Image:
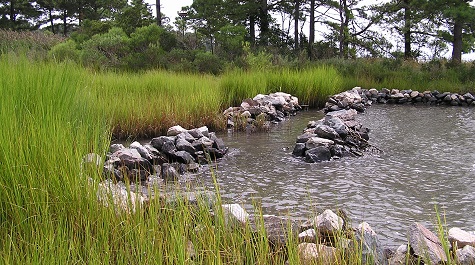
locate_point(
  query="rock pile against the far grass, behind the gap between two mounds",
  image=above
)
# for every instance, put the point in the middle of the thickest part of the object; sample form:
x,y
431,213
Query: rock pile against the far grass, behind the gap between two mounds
x,y
262,110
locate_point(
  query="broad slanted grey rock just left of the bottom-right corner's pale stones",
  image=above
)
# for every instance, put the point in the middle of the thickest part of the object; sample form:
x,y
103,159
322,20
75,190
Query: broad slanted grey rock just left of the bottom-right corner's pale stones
x,y
426,245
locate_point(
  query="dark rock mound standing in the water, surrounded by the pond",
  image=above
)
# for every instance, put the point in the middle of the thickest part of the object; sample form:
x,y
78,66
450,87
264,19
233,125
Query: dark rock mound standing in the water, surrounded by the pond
x,y
335,136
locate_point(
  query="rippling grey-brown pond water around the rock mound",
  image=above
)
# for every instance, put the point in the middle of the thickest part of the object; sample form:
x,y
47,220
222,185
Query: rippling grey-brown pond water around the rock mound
x,y
428,161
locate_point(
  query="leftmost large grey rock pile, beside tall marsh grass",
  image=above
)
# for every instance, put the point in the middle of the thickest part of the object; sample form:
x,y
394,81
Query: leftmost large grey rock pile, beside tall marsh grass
x,y
165,156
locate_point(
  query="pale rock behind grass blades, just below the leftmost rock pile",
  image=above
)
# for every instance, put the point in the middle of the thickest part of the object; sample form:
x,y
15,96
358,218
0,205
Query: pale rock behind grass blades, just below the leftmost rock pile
x,y
123,201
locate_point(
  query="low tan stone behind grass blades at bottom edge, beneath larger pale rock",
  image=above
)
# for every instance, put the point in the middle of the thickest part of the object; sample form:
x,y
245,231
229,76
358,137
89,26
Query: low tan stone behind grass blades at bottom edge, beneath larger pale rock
x,y
311,253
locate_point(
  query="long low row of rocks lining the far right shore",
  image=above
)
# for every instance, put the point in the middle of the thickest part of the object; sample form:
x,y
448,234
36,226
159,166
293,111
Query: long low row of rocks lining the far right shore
x,y
359,98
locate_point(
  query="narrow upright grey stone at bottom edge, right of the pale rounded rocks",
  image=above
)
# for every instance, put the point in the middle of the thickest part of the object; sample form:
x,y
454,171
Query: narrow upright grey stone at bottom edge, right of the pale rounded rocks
x,y
371,249
